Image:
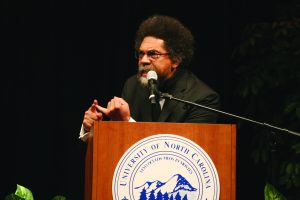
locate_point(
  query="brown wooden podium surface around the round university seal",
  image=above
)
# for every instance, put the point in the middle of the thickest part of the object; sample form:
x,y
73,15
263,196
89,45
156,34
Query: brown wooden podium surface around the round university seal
x,y
112,139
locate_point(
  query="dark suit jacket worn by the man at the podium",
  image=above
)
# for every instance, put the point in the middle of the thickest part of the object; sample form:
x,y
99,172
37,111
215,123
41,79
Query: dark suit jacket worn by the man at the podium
x,y
184,85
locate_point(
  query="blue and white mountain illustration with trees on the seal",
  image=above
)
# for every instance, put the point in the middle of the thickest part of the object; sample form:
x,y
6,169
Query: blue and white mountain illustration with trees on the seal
x,y
177,183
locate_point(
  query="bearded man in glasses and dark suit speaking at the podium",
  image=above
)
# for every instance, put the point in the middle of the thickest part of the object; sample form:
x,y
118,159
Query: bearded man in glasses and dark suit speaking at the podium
x,y
164,45
